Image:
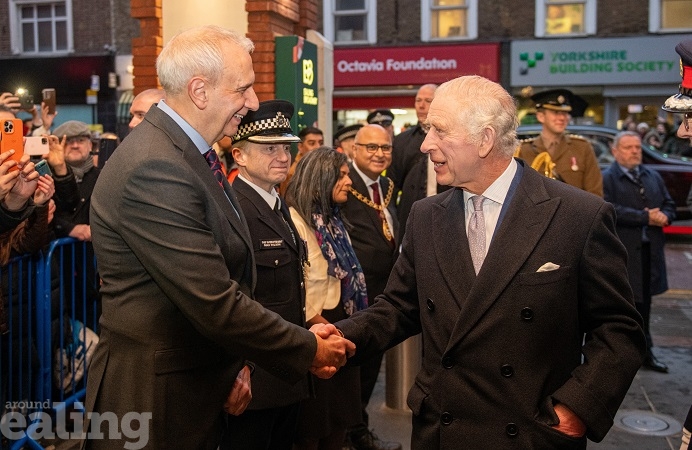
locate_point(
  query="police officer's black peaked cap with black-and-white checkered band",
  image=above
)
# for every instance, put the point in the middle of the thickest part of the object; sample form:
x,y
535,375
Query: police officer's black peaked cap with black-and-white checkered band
x,y
271,123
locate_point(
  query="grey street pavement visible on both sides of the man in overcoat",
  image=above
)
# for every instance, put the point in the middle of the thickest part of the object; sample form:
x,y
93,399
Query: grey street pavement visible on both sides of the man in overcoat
x,y
651,416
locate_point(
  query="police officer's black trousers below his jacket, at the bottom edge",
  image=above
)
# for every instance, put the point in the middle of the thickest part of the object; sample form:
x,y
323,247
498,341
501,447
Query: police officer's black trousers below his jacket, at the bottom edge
x,y
271,428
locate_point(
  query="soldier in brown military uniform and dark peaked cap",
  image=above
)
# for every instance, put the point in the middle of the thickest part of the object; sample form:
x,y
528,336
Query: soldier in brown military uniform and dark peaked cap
x,y
573,156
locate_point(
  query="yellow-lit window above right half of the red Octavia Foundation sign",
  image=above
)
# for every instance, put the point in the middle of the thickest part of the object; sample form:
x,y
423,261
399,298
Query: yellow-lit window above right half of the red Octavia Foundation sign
x,y
449,19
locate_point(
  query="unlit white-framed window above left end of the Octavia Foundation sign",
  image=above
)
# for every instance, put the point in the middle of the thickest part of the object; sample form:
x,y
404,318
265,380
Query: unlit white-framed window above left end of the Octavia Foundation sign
x,y
350,21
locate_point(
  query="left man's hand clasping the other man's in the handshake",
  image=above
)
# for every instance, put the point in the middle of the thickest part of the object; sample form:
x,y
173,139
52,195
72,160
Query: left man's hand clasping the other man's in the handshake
x,y
332,350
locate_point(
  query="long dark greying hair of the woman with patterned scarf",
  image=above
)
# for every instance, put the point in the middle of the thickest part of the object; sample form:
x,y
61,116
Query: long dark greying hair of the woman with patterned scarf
x,y
311,186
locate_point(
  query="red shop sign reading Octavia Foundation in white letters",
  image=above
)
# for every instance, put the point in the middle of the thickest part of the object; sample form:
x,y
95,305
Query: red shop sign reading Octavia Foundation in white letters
x,y
386,66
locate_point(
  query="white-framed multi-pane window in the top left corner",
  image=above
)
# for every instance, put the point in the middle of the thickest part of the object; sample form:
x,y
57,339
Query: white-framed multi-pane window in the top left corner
x,y
41,28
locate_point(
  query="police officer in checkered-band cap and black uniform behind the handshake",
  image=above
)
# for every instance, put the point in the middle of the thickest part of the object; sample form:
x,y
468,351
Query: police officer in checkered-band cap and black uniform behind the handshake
x,y
262,151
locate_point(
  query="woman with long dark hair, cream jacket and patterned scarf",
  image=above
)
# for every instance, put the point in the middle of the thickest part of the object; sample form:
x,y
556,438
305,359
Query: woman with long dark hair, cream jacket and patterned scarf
x,y
334,289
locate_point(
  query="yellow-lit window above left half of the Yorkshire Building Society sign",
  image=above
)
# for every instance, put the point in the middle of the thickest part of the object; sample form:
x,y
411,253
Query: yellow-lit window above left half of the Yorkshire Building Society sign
x,y
565,18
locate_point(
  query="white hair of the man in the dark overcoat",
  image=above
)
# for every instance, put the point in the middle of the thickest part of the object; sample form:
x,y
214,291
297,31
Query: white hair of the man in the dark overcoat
x,y
484,104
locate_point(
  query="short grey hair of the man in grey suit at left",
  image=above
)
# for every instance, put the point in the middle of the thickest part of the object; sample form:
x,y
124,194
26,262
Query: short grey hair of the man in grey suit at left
x,y
196,52
